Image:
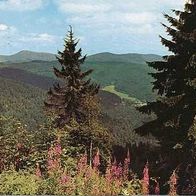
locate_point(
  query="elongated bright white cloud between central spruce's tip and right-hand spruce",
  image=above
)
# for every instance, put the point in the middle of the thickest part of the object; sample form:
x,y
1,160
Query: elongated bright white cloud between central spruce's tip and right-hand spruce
x,y
114,20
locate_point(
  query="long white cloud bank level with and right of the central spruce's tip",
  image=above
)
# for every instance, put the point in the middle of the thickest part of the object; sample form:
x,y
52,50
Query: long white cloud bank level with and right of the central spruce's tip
x,y
118,23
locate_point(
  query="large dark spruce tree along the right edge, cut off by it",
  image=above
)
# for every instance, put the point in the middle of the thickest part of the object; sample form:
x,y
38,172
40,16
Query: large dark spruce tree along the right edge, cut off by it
x,y
175,107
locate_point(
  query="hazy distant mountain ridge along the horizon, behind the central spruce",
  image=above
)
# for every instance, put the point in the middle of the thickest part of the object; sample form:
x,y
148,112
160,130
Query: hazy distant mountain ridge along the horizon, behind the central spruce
x,y
27,56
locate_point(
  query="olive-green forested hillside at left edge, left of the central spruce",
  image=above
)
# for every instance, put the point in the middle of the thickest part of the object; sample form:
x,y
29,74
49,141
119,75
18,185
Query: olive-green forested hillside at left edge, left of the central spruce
x,y
23,102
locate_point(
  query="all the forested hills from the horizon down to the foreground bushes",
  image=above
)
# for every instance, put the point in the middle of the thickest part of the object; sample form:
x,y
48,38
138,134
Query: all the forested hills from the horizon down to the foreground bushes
x,y
124,78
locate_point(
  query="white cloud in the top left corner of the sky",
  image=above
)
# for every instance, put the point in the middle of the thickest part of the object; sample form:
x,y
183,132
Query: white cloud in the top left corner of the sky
x,y
20,5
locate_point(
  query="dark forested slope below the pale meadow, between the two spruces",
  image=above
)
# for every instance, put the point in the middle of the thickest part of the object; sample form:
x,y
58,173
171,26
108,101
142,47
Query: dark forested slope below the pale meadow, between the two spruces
x,y
124,117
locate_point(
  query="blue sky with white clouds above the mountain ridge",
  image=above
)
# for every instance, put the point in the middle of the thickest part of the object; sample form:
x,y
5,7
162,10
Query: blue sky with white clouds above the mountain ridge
x,y
117,26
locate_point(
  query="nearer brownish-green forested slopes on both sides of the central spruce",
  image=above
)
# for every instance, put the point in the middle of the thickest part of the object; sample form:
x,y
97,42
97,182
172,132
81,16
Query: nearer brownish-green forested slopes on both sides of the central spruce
x,y
24,102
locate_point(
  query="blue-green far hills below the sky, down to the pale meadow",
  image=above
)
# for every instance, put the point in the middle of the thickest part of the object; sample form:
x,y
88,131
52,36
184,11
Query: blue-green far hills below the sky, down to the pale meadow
x,y
128,73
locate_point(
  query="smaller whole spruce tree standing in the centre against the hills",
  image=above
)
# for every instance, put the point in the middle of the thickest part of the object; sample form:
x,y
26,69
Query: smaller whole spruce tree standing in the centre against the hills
x,y
67,99
